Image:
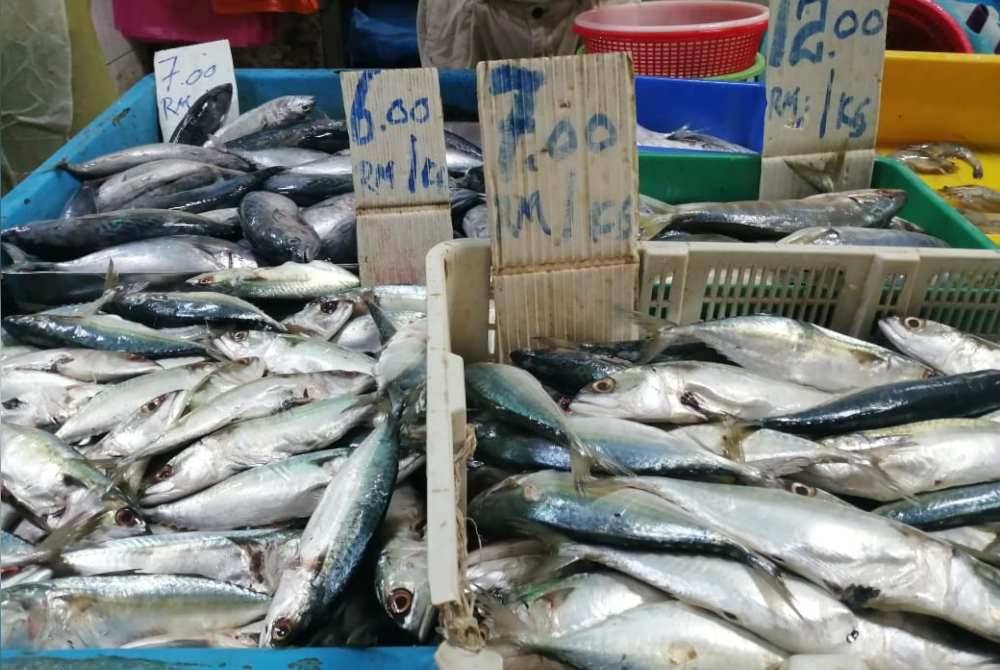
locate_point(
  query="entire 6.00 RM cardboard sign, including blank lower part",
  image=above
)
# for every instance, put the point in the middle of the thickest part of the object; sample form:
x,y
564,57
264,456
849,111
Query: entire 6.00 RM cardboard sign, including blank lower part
x,y
396,129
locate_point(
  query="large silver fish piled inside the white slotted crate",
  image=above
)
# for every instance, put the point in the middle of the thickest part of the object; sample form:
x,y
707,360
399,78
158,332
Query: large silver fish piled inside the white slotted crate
x,y
753,492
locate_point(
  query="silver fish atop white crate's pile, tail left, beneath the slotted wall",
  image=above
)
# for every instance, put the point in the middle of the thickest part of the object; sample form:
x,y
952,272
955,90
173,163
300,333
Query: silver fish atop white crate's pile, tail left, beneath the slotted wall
x,y
824,359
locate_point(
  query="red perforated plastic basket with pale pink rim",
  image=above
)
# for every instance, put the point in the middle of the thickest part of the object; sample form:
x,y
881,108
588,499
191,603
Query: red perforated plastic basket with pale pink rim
x,y
678,38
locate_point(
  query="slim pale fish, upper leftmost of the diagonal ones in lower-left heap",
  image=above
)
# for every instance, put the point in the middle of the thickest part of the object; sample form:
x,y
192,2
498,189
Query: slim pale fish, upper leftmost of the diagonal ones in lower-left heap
x,y
117,402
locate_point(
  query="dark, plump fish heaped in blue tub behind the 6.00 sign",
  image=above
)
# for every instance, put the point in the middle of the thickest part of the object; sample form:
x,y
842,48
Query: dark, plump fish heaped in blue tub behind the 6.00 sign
x,y
272,186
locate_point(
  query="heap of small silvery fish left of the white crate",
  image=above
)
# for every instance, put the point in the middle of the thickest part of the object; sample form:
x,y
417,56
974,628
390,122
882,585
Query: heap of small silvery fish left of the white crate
x,y
201,468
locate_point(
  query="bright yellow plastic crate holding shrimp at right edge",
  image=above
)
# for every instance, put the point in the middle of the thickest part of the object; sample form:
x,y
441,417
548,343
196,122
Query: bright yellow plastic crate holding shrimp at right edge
x,y
943,97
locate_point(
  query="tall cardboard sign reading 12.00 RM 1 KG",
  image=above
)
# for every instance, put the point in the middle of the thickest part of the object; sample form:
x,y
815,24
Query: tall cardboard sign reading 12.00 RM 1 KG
x,y
824,74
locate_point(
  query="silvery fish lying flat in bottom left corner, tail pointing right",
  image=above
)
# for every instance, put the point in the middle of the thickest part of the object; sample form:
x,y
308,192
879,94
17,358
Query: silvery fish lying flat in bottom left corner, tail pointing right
x,y
108,612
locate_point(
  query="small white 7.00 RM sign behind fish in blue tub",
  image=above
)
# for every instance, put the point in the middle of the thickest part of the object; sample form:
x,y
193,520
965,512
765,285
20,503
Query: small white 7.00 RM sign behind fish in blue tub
x,y
185,73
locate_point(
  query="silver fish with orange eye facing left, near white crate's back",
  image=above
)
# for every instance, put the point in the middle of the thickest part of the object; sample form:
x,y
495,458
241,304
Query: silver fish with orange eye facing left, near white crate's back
x,y
691,393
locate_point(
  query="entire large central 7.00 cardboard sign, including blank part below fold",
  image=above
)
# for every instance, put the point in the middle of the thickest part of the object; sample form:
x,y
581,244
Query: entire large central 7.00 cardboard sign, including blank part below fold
x,y
560,168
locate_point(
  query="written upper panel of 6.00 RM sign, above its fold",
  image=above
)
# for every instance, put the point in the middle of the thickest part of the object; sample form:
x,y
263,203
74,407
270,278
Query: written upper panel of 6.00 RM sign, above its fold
x,y
396,128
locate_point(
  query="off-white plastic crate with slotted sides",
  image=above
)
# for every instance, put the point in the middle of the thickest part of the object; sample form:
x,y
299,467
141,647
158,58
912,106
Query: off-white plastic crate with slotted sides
x,y
846,289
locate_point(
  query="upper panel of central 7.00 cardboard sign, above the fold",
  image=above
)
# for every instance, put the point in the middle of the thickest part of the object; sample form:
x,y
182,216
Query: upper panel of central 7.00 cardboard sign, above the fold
x,y
560,159
